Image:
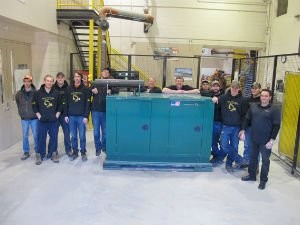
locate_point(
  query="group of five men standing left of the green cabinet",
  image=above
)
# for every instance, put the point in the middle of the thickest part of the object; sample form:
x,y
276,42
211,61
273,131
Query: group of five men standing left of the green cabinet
x,y
55,104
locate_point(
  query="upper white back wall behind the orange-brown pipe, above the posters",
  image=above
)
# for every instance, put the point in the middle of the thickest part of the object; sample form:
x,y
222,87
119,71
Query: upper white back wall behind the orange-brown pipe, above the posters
x,y
219,23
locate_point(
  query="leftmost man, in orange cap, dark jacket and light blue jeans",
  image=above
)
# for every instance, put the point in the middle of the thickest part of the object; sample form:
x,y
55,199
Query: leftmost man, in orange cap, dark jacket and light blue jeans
x,y
28,118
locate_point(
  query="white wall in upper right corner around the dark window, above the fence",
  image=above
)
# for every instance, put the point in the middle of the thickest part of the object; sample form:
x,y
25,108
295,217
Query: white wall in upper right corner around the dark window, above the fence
x,y
284,30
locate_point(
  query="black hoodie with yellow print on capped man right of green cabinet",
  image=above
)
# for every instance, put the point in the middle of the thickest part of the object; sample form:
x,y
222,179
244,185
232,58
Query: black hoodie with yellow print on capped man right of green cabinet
x,y
233,108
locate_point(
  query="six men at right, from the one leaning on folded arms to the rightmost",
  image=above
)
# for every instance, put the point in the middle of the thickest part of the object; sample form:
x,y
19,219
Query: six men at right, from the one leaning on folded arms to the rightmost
x,y
254,120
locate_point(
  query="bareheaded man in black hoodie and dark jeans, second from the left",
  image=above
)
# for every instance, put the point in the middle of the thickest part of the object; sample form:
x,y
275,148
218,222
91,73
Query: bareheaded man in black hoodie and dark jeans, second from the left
x,y
47,106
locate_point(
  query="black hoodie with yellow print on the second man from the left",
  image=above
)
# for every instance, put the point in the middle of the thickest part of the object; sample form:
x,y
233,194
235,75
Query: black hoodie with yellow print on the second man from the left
x,y
47,104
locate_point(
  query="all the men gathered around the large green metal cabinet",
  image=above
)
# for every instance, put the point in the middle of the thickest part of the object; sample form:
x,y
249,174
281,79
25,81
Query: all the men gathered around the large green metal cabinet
x,y
253,120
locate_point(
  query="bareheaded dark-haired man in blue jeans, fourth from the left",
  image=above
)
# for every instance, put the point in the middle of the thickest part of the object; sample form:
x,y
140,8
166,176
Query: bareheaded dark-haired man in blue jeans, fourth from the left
x,y
76,112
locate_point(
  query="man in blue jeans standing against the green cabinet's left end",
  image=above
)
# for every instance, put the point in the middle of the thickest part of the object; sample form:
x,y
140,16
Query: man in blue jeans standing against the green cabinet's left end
x,y
99,112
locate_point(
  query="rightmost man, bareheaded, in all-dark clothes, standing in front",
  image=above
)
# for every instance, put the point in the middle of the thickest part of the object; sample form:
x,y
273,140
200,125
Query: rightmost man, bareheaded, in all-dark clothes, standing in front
x,y
265,124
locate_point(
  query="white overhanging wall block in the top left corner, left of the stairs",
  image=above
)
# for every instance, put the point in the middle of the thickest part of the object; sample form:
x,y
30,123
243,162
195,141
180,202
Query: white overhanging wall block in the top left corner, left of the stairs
x,y
39,14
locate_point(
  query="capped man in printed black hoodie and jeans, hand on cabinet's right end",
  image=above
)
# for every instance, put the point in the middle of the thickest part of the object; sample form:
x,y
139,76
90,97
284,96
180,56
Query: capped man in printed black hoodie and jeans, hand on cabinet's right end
x,y
233,108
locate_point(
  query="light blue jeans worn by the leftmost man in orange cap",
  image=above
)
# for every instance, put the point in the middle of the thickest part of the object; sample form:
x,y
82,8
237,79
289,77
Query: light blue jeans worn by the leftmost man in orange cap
x,y
26,125
